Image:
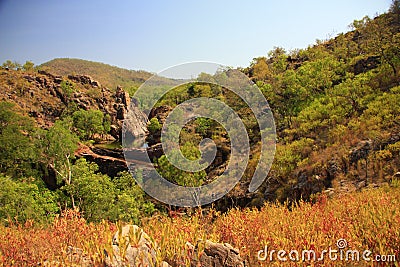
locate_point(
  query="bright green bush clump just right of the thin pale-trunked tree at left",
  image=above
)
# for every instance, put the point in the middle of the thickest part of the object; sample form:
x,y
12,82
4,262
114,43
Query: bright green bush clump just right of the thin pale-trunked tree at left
x,y
98,197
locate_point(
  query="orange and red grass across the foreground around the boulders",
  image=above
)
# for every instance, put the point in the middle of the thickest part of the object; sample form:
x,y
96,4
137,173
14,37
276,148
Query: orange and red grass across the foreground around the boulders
x,y
367,220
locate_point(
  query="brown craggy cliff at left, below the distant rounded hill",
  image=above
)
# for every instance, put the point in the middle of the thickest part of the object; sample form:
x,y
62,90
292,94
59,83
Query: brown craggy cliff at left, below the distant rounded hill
x,y
45,97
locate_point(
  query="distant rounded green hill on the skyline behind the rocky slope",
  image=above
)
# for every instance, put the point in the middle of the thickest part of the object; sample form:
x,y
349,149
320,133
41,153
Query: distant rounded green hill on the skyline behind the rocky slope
x,y
107,75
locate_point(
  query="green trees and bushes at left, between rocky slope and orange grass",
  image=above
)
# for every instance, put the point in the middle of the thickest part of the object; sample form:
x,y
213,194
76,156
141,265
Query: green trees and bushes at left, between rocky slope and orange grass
x,y
29,152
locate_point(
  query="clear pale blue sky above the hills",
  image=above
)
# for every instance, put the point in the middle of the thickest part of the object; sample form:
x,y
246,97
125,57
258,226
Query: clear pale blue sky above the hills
x,y
153,35
